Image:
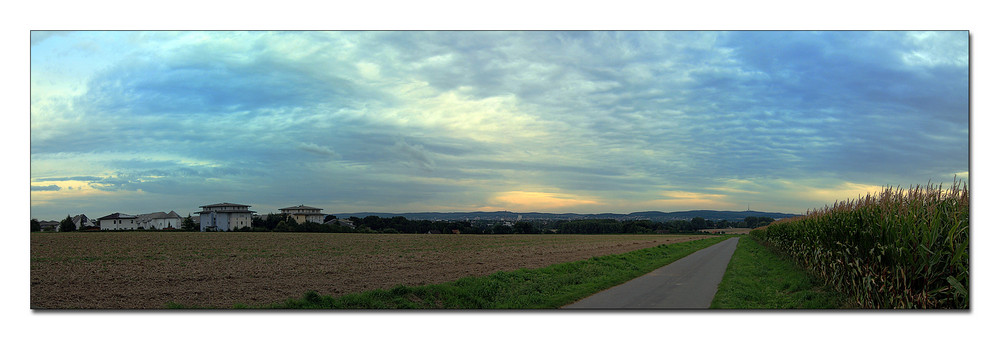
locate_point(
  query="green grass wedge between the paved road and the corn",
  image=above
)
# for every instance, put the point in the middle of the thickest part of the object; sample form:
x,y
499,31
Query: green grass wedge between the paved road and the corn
x,y
758,278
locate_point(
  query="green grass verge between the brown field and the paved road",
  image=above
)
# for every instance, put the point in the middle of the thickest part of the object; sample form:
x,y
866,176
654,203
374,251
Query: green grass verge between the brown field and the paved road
x,y
549,287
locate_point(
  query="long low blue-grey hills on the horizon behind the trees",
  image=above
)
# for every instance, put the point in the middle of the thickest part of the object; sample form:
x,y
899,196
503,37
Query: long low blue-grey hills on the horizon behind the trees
x,y
510,216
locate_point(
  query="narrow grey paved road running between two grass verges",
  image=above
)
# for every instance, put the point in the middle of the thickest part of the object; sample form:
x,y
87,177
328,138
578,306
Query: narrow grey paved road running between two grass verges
x,y
690,282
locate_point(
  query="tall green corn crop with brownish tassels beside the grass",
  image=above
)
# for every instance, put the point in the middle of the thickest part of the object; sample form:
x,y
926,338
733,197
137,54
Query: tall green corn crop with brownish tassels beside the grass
x,y
895,249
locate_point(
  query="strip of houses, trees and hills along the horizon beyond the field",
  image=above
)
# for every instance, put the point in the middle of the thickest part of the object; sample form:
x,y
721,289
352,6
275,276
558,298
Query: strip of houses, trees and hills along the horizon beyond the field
x,y
238,217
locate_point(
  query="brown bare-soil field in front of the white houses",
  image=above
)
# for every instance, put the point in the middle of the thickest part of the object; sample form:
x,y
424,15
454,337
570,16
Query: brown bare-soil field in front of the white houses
x,y
145,270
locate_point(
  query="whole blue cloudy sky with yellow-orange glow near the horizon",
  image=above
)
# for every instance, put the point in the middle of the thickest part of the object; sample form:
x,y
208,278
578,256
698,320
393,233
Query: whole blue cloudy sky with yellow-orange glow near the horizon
x,y
578,121
